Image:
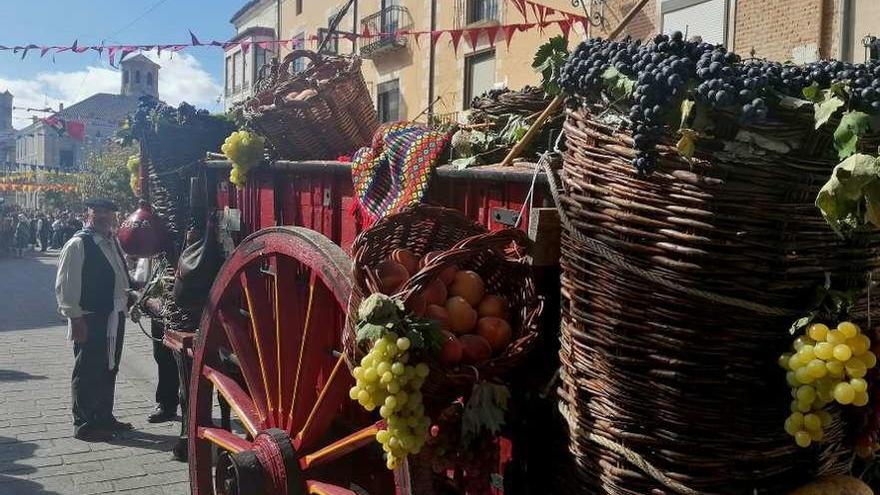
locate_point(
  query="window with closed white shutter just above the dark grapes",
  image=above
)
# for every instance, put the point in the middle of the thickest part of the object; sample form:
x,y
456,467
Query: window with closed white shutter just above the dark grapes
x,y
704,18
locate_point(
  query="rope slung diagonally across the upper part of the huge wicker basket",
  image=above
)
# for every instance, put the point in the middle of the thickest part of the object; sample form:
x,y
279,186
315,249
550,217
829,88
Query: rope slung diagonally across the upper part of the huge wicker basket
x,y
601,249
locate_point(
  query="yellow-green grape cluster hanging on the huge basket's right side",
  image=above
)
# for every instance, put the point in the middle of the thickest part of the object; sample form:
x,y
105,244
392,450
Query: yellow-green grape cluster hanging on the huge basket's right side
x,y
826,366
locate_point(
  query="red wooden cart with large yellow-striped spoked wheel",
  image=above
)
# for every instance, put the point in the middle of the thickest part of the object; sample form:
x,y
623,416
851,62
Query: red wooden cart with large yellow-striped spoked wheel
x,y
270,337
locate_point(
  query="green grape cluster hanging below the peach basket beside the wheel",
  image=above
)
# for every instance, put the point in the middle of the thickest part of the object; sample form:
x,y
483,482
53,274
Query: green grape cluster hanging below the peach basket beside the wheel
x,y
386,380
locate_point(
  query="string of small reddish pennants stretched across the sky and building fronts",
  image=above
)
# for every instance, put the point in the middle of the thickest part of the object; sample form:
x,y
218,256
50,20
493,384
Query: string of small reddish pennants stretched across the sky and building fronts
x,y
534,14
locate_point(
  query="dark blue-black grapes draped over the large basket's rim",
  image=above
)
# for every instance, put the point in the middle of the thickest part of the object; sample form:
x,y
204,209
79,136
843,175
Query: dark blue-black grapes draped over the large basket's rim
x,y
668,69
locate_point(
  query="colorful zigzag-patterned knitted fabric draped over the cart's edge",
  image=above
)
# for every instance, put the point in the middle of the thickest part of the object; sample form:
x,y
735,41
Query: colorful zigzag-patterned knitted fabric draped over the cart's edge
x,y
394,172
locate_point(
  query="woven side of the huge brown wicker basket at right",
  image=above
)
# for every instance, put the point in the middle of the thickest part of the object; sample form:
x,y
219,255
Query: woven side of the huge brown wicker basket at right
x,y
678,290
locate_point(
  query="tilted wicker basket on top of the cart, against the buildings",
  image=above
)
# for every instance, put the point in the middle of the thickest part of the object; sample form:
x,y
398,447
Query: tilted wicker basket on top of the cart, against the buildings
x,y
321,113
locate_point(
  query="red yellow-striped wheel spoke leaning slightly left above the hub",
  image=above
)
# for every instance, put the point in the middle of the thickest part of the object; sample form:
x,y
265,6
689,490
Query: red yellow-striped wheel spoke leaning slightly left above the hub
x,y
263,329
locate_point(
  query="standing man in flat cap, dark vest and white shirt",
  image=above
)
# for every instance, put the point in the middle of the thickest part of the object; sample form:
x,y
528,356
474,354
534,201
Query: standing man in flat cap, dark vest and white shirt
x,y
92,289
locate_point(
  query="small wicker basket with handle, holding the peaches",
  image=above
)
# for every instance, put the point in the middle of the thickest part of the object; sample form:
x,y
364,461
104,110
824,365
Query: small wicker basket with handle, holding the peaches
x,y
423,229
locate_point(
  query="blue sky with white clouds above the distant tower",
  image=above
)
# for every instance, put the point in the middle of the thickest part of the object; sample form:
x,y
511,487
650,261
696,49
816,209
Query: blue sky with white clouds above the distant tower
x,y
193,75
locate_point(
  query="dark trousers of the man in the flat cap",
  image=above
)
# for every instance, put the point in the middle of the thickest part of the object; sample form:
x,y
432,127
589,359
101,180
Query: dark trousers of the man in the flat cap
x,y
93,384
